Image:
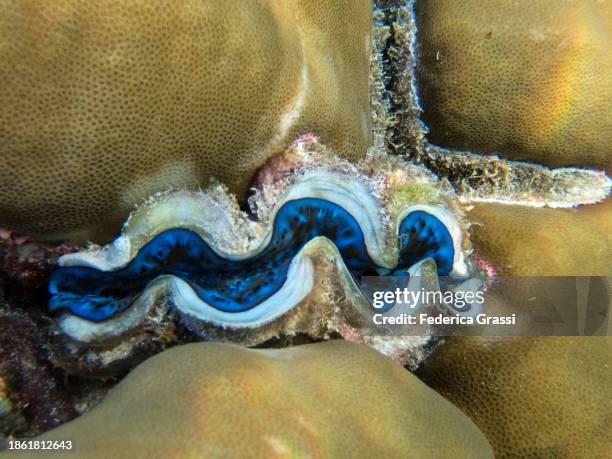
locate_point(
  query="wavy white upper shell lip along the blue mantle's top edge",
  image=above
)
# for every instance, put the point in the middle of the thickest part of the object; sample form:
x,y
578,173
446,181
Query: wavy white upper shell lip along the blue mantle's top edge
x,y
189,211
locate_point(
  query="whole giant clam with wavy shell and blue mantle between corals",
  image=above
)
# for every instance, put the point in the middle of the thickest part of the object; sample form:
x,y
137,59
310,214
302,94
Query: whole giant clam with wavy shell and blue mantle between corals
x,y
291,266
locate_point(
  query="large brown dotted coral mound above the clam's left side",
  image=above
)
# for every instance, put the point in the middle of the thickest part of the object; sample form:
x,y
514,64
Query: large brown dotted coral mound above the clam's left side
x,y
105,103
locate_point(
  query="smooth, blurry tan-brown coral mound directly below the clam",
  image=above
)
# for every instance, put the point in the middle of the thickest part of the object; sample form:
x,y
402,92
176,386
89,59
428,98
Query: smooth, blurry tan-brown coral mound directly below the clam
x,y
329,399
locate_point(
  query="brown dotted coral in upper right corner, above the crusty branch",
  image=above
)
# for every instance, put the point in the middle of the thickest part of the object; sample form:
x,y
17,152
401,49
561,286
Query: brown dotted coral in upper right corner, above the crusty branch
x,y
530,80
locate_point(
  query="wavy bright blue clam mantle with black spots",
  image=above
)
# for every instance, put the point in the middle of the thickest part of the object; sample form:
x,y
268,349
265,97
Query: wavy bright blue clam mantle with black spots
x,y
236,285
